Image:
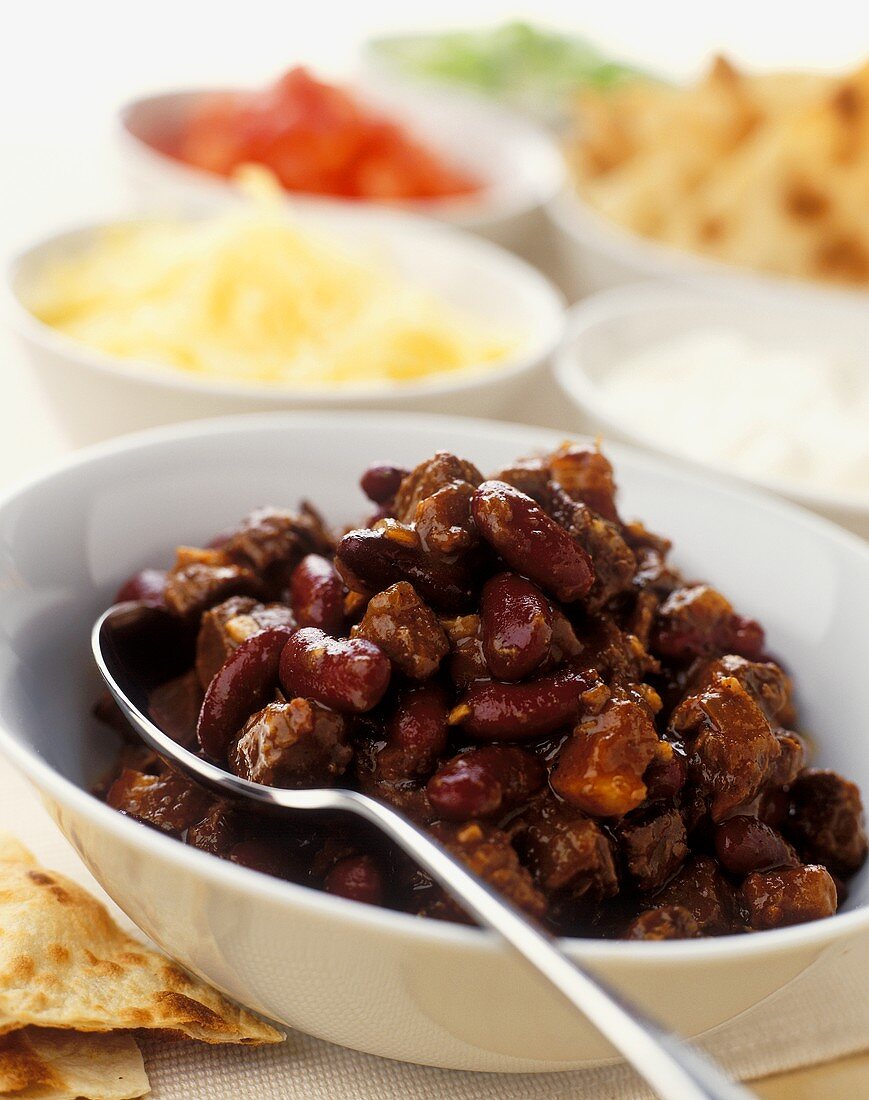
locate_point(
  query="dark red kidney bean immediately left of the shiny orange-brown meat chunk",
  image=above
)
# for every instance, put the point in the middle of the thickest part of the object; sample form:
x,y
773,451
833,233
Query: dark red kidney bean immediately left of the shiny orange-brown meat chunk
x,y
485,782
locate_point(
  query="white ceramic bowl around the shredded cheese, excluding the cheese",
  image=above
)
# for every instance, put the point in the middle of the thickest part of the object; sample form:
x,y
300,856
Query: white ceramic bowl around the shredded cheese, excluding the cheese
x,y
97,397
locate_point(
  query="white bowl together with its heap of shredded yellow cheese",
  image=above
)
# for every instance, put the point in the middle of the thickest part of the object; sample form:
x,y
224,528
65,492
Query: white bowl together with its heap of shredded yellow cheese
x,y
136,324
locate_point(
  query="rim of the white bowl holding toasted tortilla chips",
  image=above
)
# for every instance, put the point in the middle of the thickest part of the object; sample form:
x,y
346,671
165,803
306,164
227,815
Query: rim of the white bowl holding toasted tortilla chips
x,y
588,228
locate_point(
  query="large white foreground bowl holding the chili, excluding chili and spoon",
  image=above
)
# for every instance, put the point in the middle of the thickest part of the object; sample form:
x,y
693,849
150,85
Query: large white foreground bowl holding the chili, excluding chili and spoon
x,y
380,982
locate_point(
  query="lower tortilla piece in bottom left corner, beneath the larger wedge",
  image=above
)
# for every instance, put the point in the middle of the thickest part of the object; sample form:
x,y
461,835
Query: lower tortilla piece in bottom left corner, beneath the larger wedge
x,y
45,1064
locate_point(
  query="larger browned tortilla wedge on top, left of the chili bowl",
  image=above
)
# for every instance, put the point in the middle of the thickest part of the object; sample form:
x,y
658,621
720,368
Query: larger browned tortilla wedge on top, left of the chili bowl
x,y
64,963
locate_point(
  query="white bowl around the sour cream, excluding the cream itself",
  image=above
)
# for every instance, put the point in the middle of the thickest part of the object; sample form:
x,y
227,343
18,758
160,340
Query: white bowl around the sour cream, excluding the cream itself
x,y
626,321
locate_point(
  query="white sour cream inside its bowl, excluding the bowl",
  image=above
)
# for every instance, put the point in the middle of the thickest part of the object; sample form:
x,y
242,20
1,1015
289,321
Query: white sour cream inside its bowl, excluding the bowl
x,y
716,397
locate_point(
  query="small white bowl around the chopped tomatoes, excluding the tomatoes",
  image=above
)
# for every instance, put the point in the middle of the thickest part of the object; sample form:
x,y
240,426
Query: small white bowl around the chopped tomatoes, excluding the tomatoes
x,y
520,166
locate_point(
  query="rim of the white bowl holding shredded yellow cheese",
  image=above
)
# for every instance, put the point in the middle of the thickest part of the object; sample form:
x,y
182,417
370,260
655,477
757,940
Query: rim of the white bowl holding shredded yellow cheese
x,y
540,347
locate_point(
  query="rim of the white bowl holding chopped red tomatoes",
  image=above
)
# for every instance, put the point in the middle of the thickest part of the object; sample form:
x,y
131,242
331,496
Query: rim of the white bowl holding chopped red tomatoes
x,y
497,202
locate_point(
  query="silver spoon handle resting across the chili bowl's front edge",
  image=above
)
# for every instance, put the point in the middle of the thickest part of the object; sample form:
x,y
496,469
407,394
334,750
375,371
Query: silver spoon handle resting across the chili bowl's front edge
x,y
674,1070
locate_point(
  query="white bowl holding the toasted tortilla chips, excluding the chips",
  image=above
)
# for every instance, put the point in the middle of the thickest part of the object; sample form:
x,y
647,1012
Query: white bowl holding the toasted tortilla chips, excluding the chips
x,y
595,254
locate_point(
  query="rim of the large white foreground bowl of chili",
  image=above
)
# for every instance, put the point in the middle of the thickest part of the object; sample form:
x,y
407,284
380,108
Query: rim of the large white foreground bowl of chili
x,y
377,919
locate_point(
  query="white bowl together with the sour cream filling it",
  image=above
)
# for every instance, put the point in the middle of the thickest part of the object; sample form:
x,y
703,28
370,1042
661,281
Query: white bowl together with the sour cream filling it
x,y
765,389
